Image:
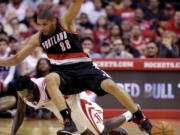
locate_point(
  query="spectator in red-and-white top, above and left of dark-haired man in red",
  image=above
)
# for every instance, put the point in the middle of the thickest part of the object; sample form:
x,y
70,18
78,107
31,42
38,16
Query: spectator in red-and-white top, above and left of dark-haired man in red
x,y
137,39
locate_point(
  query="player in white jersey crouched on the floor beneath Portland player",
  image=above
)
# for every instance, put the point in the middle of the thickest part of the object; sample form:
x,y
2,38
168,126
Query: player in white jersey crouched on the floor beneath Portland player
x,y
87,115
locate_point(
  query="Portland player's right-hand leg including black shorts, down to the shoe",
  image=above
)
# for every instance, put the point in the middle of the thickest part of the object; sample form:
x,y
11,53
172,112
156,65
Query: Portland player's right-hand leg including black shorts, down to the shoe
x,y
99,82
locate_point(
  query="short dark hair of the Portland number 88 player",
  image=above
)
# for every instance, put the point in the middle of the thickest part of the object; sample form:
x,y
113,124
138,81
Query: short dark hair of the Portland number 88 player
x,y
45,14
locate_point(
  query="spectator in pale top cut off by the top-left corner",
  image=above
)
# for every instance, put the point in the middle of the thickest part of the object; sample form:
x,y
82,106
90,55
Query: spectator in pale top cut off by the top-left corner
x,y
3,11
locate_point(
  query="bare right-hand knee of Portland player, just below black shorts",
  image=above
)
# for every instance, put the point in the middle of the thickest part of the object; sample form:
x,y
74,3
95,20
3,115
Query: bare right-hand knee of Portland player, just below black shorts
x,y
109,86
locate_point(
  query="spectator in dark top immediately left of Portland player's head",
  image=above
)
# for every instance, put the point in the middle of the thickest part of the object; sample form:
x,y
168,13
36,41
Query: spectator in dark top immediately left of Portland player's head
x,y
30,21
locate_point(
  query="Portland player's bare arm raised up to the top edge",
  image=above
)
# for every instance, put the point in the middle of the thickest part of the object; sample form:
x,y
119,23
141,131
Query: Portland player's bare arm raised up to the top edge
x,y
67,20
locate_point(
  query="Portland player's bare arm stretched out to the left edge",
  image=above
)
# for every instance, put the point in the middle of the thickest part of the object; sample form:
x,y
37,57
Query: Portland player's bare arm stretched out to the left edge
x,y
17,59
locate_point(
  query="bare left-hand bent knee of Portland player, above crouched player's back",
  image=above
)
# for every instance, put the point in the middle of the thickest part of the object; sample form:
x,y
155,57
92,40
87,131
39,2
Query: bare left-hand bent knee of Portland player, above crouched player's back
x,y
52,78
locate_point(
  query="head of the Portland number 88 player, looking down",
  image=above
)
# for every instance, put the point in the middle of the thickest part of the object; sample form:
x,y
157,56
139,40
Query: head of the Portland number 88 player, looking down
x,y
46,21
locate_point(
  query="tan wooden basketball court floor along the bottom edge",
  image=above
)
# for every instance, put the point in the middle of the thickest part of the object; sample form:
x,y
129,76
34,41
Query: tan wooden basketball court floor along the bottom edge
x,y
49,127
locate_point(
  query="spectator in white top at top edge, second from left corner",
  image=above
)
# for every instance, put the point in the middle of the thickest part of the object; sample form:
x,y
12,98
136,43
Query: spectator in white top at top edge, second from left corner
x,y
19,8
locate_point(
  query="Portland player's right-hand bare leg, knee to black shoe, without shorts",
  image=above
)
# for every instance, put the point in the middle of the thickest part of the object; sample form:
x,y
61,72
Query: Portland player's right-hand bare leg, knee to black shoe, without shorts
x,y
111,87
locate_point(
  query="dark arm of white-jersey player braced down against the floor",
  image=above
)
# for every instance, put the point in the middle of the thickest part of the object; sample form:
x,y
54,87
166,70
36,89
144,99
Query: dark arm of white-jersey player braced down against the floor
x,y
18,119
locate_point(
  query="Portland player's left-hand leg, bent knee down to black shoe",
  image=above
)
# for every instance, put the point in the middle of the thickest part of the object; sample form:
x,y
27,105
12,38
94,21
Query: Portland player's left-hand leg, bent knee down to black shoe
x,y
52,83
